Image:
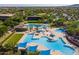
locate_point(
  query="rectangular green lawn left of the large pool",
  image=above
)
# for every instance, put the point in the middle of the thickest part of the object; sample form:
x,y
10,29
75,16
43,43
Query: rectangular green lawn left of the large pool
x,y
12,41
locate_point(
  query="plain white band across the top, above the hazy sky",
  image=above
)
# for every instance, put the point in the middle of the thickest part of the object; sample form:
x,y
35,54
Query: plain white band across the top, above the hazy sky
x,y
55,2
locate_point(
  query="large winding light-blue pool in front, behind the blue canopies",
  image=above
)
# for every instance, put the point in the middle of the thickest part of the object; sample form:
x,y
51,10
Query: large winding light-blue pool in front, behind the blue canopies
x,y
55,45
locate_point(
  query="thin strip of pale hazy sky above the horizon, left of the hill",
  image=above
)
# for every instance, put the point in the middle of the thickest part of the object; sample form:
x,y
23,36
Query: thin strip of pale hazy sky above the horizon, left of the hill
x,y
8,5
